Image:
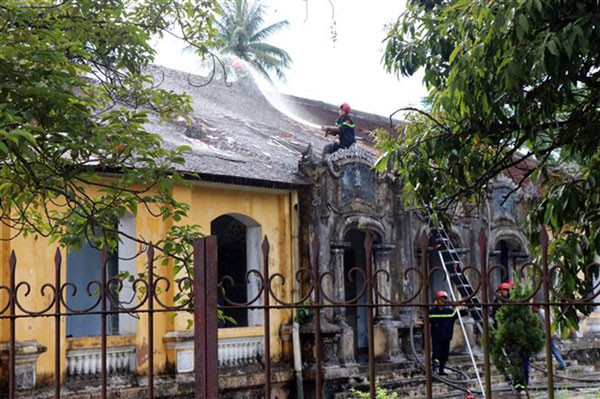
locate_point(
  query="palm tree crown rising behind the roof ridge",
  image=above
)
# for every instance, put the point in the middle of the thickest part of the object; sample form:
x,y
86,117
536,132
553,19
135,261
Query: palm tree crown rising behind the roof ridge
x,y
241,32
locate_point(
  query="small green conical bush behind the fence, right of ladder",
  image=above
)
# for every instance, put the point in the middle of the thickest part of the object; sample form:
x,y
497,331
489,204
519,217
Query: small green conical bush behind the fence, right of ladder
x,y
518,334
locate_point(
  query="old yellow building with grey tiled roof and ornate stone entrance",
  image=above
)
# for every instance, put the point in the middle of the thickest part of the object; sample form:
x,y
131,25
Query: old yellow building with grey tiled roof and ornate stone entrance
x,y
256,172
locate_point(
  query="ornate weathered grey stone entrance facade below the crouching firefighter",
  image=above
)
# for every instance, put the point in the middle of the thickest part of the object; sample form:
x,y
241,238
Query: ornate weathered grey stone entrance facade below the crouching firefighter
x,y
346,201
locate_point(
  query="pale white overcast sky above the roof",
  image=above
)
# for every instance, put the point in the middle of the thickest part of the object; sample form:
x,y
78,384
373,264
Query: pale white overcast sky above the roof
x,y
346,68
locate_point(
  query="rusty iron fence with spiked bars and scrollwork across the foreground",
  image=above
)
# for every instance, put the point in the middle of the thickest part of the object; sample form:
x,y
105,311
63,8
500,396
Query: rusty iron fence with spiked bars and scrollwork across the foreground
x,y
314,280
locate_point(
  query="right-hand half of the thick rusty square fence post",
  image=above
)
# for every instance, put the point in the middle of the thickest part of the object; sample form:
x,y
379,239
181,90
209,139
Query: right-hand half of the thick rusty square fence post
x,y
212,344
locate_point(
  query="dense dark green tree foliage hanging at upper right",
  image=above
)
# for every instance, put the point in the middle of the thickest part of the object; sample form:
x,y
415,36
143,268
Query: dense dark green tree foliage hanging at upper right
x,y
514,89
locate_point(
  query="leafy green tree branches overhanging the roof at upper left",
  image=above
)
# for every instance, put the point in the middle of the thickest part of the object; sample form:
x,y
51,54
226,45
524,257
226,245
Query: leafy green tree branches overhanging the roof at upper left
x,y
74,99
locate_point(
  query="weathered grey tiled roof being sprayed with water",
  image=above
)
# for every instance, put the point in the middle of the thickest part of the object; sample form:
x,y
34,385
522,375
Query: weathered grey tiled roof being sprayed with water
x,y
237,136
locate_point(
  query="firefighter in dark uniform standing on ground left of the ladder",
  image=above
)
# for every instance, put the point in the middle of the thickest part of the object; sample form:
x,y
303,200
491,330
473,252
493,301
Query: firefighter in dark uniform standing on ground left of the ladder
x,y
441,320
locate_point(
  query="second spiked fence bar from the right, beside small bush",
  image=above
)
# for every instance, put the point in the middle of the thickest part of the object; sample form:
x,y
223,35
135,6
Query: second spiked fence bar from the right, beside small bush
x,y
482,241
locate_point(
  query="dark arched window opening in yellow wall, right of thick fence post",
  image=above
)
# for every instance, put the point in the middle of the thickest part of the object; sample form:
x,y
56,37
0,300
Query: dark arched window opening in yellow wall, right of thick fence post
x,y
239,243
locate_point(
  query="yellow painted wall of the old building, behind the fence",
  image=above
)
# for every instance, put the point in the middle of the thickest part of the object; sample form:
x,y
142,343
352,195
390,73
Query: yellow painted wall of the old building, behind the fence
x,y
269,208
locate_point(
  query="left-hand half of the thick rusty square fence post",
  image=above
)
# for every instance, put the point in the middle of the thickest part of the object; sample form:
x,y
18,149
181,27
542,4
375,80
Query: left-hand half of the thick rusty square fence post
x,y
199,320
